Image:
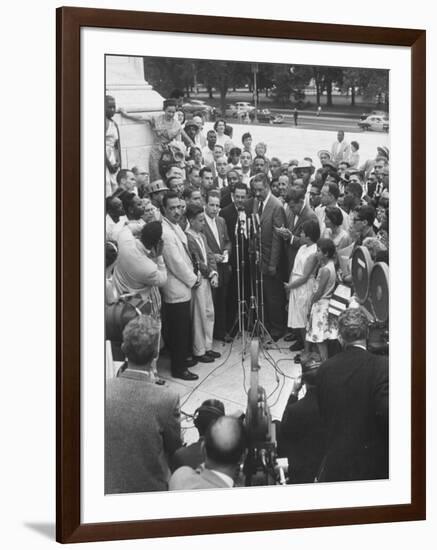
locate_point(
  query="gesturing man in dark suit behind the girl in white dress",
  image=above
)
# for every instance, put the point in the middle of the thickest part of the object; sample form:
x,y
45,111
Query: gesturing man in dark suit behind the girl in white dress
x,y
296,213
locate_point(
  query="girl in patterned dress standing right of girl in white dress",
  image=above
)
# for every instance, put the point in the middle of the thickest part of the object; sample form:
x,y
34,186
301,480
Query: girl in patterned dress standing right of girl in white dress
x,y
321,327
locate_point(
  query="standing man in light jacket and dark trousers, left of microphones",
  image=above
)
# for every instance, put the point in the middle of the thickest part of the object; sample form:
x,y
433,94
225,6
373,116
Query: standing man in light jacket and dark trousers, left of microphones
x,y
177,290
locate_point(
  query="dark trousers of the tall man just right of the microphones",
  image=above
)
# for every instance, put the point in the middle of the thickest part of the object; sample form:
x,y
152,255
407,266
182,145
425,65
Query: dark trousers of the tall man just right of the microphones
x,y
274,305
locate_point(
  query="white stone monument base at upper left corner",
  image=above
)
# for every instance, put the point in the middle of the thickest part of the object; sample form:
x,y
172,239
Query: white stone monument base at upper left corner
x,y
126,83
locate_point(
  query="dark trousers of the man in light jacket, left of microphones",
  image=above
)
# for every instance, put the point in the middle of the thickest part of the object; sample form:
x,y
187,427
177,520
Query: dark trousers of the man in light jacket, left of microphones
x,y
178,333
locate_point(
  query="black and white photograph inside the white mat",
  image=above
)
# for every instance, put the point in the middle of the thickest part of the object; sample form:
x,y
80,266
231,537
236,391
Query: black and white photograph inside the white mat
x,y
246,273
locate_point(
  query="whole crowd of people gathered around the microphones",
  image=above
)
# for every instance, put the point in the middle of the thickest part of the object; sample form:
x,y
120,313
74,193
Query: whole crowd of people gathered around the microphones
x,y
177,242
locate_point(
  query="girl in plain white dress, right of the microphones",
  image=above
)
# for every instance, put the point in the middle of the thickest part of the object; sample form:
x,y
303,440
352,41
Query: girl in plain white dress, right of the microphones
x,y
302,282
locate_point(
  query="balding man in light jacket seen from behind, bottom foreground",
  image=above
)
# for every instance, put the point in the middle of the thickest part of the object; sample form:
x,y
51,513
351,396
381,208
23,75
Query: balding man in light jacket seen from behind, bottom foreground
x,y
225,443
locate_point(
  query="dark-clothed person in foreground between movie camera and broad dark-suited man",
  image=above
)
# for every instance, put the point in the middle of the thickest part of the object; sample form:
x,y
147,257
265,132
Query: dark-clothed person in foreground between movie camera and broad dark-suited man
x,y
301,435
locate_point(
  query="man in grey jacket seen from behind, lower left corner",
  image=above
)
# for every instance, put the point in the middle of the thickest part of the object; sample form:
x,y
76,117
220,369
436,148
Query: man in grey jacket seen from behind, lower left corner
x,y
142,425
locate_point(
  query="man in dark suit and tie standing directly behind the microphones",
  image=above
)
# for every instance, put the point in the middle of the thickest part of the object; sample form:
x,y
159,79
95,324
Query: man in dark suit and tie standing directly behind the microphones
x,y
230,215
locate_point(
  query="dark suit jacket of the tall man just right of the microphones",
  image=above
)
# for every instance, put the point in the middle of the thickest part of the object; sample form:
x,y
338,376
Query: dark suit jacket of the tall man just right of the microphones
x,y
272,216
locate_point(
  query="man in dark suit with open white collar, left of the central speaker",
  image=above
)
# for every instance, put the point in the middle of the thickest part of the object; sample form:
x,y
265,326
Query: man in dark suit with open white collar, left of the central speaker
x,y
217,237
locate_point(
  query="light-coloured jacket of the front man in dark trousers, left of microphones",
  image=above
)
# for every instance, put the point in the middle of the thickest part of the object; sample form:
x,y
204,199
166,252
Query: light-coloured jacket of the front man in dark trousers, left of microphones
x,y
180,273
